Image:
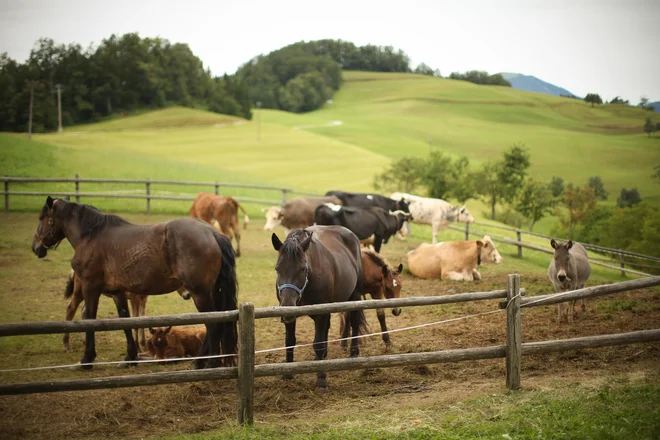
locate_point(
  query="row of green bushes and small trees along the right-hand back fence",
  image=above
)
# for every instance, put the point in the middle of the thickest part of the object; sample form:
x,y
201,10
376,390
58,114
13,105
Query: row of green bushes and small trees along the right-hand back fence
x,y
524,200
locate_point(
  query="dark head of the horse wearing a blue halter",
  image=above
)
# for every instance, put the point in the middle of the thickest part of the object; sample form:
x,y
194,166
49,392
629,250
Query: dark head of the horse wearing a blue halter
x,y
292,268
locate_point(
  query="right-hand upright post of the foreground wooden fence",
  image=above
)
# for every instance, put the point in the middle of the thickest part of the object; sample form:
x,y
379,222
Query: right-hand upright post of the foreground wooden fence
x,y
513,333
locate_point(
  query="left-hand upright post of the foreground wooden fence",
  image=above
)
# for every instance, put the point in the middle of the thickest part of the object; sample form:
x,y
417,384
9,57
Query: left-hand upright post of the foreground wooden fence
x,y
246,364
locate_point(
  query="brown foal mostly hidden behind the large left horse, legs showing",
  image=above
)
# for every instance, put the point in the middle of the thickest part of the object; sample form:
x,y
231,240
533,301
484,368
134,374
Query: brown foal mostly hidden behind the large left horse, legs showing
x,y
138,303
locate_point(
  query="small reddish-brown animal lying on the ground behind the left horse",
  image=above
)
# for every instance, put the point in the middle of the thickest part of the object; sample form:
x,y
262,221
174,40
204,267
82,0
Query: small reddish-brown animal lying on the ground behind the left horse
x,y
175,342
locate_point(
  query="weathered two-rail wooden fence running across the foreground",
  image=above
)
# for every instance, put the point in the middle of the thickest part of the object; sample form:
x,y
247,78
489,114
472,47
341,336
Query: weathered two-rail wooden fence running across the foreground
x,y
246,371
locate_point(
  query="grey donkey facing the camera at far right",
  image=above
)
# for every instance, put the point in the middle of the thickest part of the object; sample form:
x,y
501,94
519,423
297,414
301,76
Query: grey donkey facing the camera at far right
x,y
568,270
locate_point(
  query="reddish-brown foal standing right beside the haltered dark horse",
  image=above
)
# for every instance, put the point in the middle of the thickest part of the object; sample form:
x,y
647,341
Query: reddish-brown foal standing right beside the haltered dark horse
x,y
380,281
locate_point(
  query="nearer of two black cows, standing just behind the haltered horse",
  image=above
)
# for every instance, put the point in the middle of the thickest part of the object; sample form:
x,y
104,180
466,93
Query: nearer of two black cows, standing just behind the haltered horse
x,y
363,222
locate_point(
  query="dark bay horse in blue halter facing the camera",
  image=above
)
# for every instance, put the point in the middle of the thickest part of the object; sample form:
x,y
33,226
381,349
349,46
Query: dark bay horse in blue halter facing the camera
x,y
318,265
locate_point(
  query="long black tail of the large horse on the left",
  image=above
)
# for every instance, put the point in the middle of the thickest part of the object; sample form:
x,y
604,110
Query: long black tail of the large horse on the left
x,y
225,293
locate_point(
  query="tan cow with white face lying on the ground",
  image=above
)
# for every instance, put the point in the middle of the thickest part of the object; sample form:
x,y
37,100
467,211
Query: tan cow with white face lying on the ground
x,y
453,260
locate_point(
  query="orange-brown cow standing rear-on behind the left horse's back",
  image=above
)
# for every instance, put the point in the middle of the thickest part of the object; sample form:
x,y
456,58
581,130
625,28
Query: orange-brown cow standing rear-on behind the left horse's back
x,y
222,213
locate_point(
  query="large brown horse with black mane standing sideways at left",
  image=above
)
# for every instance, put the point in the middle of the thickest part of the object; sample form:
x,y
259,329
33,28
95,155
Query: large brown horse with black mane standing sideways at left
x,y
114,256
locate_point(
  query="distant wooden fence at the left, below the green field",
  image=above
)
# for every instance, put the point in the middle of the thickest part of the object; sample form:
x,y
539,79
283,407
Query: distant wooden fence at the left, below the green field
x,y
148,196
